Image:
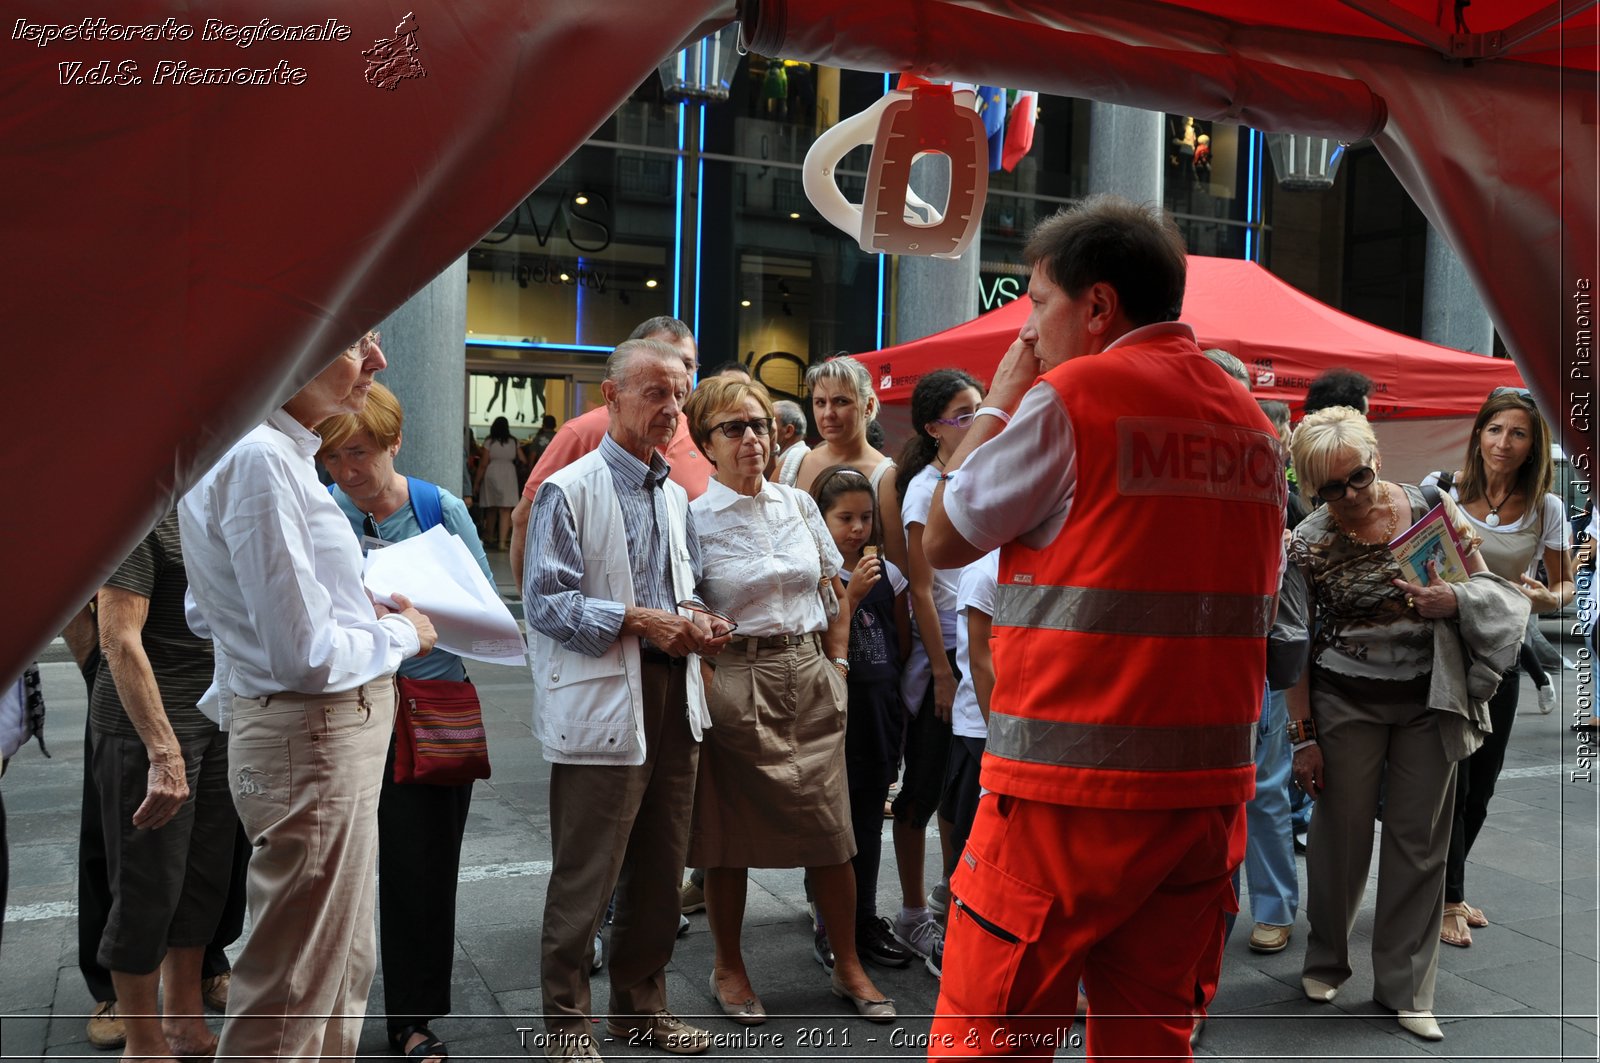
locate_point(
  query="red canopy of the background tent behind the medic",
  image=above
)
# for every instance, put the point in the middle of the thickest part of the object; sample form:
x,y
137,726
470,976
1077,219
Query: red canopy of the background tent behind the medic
x,y
1284,335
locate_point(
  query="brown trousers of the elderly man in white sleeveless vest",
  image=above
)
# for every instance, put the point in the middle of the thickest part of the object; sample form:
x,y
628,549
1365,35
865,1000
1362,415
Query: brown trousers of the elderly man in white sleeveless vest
x,y
626,830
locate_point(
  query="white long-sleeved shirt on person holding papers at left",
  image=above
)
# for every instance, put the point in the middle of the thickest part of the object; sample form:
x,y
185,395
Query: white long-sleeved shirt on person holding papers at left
x,y
276,576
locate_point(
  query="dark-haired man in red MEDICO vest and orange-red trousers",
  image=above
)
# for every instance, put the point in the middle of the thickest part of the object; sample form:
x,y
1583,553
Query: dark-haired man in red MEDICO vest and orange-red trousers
x,y
1137,499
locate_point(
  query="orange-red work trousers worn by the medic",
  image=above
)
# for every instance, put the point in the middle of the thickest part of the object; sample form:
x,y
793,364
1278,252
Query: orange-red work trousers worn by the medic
x,y
1132,902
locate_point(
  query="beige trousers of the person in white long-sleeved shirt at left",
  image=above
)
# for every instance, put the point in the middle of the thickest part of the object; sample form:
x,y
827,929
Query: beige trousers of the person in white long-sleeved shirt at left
x,y
306,772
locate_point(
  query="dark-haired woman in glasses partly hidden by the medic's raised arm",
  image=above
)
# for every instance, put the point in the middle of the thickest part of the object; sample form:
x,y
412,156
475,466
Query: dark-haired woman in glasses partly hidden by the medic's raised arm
x,y
942,409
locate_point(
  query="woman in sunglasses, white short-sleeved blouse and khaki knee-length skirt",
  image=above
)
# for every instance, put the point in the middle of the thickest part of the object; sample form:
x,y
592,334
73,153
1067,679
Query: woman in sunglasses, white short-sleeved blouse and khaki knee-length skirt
x,y
772,777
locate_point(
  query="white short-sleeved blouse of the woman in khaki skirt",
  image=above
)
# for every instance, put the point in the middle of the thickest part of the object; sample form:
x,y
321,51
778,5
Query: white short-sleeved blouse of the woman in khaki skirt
x,y
761,558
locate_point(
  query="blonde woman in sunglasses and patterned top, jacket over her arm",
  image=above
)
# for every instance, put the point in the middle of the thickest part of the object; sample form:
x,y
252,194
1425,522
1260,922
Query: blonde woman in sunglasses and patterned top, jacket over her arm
x,y
1380,710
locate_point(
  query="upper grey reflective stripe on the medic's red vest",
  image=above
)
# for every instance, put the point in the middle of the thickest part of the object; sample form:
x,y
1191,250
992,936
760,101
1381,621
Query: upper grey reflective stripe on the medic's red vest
x,y
1161,614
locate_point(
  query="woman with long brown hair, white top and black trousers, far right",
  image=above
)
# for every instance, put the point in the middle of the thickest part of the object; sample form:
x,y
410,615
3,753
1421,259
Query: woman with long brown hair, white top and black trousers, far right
x,y
1505,489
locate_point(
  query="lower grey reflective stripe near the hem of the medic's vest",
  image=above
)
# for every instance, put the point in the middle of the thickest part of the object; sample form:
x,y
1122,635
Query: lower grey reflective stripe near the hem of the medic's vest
x,y
1121,748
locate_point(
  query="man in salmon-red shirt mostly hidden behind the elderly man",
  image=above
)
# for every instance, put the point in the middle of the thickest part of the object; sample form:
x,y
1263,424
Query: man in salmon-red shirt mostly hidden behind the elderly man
x,y
583,435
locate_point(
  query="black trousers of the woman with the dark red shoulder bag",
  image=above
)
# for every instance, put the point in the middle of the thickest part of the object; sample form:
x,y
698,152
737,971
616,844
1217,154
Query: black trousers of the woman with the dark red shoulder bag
x,y
418,860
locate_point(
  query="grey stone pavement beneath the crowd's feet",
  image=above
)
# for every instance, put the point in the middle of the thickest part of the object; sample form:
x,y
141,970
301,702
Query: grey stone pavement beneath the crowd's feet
x,y
1527,990
